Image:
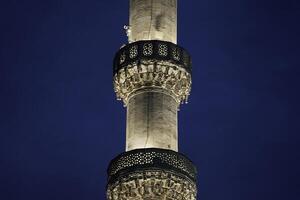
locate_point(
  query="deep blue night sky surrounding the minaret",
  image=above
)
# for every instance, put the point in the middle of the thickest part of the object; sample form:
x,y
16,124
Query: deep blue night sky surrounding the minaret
x,y
60,123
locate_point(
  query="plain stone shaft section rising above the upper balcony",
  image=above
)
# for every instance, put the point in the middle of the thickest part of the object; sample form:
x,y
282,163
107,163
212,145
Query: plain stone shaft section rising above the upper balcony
x,y
153,20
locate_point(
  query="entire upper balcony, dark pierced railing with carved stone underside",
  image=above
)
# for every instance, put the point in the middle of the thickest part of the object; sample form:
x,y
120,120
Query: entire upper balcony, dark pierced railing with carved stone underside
x,y
156,64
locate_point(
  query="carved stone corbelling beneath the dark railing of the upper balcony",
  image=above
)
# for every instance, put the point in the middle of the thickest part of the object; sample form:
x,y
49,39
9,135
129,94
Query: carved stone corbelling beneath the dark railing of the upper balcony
x,y
153,74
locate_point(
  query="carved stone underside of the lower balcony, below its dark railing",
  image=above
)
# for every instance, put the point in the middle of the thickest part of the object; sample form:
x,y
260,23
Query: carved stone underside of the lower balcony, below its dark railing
x,y
152,185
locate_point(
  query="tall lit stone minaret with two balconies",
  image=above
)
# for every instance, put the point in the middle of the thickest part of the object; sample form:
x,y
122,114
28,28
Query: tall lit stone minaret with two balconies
x,y
152,76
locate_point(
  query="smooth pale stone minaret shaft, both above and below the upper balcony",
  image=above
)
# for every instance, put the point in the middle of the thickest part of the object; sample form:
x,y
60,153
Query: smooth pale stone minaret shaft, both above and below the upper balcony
x,y
152,113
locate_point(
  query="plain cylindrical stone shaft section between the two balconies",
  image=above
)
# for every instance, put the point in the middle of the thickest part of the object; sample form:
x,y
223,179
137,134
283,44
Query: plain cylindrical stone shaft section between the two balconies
x,y
151,120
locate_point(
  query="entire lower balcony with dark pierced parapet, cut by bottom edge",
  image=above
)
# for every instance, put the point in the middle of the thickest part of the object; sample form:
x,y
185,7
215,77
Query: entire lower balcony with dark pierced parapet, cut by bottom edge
x,y
153,174
